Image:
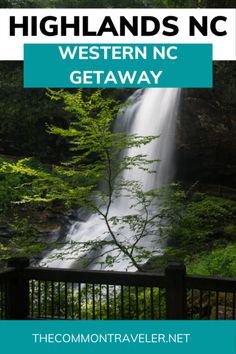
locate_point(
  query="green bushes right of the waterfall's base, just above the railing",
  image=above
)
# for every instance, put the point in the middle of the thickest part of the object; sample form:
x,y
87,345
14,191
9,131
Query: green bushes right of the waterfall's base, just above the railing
x,y
200,230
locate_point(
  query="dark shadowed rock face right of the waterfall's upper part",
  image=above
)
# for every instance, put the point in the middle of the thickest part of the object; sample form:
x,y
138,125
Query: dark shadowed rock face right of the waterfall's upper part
x,y
206,131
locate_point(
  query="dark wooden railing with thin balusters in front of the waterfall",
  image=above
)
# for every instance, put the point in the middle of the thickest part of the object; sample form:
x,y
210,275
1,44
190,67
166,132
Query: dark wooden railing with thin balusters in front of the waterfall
x,y
46,293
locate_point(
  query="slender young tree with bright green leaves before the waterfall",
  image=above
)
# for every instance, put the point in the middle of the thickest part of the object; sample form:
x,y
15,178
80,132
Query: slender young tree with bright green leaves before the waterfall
x,y
94,178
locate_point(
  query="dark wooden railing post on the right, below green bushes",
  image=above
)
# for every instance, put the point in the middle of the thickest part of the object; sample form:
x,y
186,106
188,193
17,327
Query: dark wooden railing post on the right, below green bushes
x,y
175,292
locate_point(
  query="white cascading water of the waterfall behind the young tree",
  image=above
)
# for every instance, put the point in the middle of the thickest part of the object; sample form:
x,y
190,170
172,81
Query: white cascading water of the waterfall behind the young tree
x,y
152,112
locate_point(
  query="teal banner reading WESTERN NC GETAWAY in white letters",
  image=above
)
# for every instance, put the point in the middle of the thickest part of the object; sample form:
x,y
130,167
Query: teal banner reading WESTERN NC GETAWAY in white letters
x,y
117,65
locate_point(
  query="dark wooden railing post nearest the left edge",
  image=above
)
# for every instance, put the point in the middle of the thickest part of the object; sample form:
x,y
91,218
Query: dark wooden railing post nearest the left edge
x,y
18,291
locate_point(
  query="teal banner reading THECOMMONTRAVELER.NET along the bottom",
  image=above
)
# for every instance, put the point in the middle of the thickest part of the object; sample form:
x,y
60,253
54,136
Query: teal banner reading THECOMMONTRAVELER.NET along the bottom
x,y
106,337
